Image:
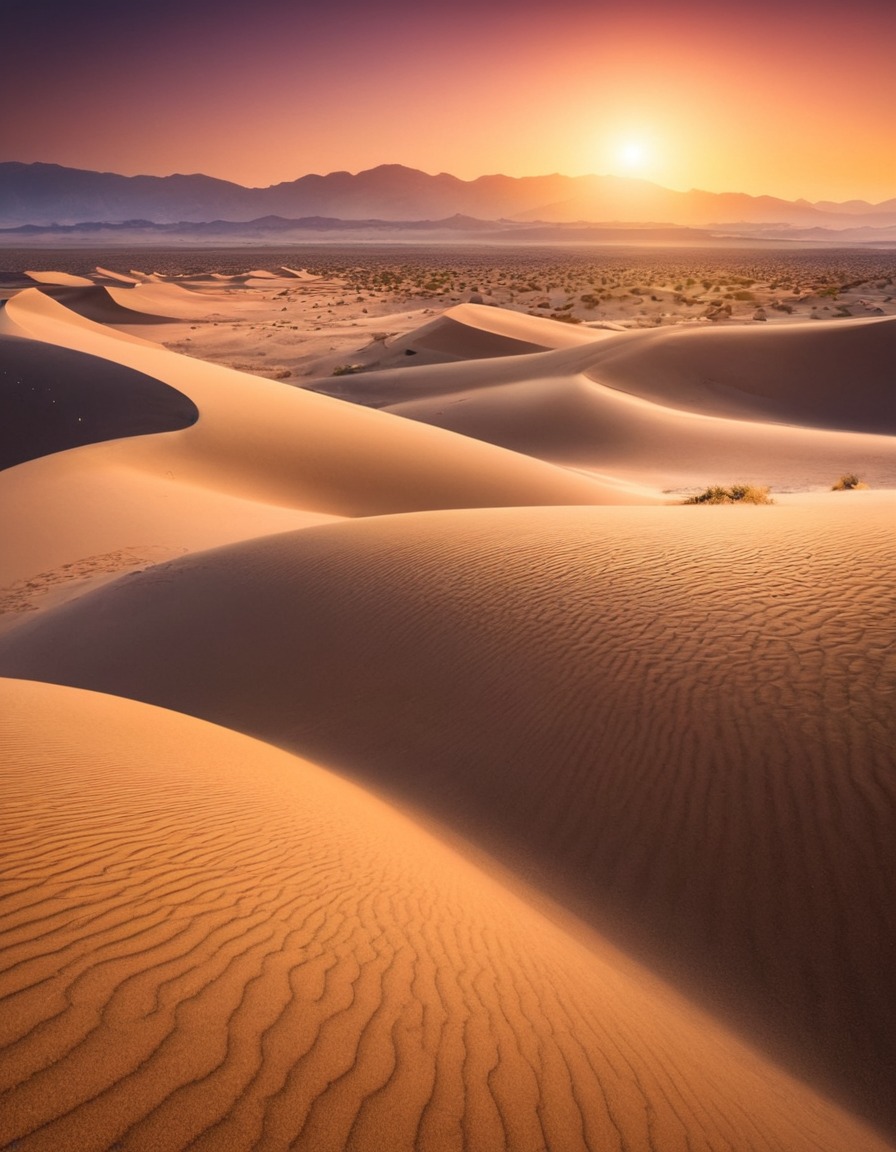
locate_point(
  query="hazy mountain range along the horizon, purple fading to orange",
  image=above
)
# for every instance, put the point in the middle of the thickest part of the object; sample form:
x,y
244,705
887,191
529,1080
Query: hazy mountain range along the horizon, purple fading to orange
x,y
47,194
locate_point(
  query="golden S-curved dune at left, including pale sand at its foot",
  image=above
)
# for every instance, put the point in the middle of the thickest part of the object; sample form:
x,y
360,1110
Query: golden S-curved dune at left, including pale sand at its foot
x,y
263,458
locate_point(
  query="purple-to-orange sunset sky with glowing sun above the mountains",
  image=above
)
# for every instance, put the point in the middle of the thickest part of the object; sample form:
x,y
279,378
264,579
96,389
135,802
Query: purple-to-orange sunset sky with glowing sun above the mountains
x,y
791,100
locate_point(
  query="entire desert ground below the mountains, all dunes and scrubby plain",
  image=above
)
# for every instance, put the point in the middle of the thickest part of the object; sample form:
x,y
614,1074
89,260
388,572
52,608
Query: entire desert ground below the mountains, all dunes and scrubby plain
x,y
392,759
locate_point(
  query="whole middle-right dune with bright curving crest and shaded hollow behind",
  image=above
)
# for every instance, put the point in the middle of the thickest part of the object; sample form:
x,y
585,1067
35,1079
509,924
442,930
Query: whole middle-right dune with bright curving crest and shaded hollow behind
x,y
667,431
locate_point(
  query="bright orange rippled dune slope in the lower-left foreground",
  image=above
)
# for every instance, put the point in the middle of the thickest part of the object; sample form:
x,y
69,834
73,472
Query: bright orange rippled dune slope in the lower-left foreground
x,y
210,943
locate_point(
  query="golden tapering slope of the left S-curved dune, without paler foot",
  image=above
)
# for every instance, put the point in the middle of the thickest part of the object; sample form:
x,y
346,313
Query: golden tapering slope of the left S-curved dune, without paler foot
x,y
267,442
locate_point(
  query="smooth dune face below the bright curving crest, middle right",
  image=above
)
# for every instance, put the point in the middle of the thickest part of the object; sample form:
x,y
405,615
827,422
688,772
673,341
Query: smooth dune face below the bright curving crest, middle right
x,y
574,421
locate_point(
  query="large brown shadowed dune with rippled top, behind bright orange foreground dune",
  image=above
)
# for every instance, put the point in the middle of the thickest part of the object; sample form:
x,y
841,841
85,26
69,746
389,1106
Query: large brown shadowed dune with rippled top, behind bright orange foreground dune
x,y
679,716
